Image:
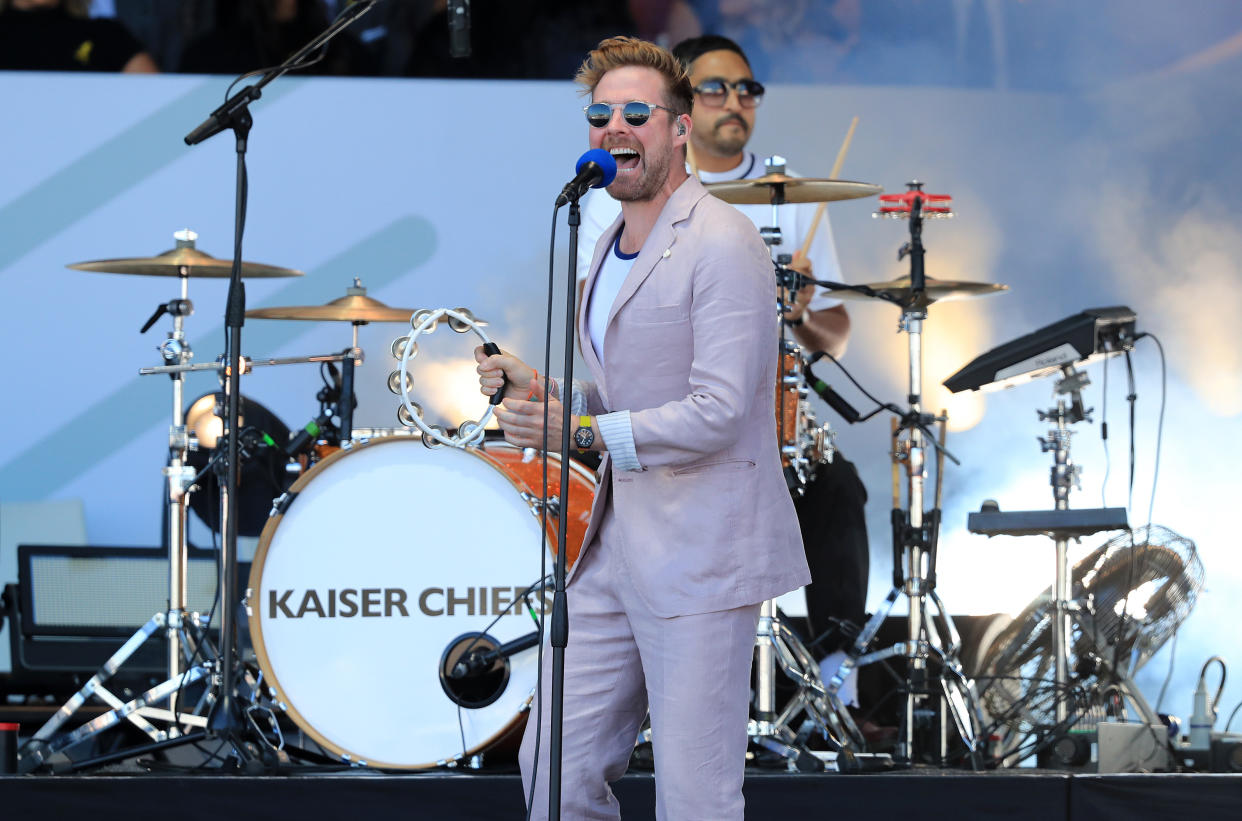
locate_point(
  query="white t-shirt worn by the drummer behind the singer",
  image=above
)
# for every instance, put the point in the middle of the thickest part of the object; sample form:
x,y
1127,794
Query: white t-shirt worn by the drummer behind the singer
x,y
601,211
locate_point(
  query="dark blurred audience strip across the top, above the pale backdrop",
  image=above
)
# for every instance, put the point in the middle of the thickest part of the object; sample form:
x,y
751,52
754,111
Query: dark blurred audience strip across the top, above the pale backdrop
x,y
1039,45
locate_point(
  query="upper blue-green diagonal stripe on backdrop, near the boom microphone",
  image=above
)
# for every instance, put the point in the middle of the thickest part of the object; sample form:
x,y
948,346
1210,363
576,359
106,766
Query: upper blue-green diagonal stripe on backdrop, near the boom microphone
x,y
110,170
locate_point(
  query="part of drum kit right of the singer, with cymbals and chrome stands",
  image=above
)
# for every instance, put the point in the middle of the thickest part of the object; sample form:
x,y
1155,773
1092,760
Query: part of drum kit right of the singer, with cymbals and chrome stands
x,y
948,700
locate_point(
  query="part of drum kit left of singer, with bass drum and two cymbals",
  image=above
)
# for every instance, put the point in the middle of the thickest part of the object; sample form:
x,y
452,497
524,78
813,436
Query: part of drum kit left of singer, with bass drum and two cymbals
x,y
362,535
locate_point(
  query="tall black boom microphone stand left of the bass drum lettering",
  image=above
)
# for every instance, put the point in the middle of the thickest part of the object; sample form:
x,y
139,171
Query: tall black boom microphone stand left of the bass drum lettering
x,y
235,115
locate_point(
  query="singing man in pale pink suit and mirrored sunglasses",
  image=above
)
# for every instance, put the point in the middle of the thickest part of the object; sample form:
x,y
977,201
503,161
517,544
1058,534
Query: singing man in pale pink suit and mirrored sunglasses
x,y
692,526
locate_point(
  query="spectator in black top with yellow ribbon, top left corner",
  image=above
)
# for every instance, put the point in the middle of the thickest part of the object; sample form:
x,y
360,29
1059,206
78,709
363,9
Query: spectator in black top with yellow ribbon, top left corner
x,y
60,35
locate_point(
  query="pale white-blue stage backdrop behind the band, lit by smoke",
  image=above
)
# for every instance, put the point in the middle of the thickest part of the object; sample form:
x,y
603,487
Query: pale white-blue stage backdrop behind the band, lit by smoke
x,y
438,194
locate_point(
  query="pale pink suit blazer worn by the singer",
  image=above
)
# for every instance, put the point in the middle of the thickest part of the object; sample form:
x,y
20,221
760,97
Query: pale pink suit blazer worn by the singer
x,y
691,352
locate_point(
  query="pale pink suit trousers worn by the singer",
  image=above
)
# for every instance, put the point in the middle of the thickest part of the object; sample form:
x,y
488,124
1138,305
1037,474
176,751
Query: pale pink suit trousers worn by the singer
x,y
694,675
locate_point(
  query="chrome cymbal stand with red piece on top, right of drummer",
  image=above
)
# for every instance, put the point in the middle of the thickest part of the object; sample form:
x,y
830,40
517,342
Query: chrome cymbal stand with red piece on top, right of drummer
x,y
915,546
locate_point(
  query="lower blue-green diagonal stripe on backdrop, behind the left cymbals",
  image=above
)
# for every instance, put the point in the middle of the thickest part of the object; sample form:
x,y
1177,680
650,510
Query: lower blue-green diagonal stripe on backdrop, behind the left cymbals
x,y
57,459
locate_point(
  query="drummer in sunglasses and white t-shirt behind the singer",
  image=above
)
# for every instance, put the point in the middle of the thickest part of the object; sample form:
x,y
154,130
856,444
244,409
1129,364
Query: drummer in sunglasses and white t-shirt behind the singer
x,y
727,100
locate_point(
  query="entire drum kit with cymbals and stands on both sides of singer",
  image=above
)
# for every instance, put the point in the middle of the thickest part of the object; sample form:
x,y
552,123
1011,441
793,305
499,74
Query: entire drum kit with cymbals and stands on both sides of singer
x,y
374,541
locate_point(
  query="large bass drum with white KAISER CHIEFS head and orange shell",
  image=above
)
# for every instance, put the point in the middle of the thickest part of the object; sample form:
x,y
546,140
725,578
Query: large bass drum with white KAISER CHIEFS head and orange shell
x,y
391,565
